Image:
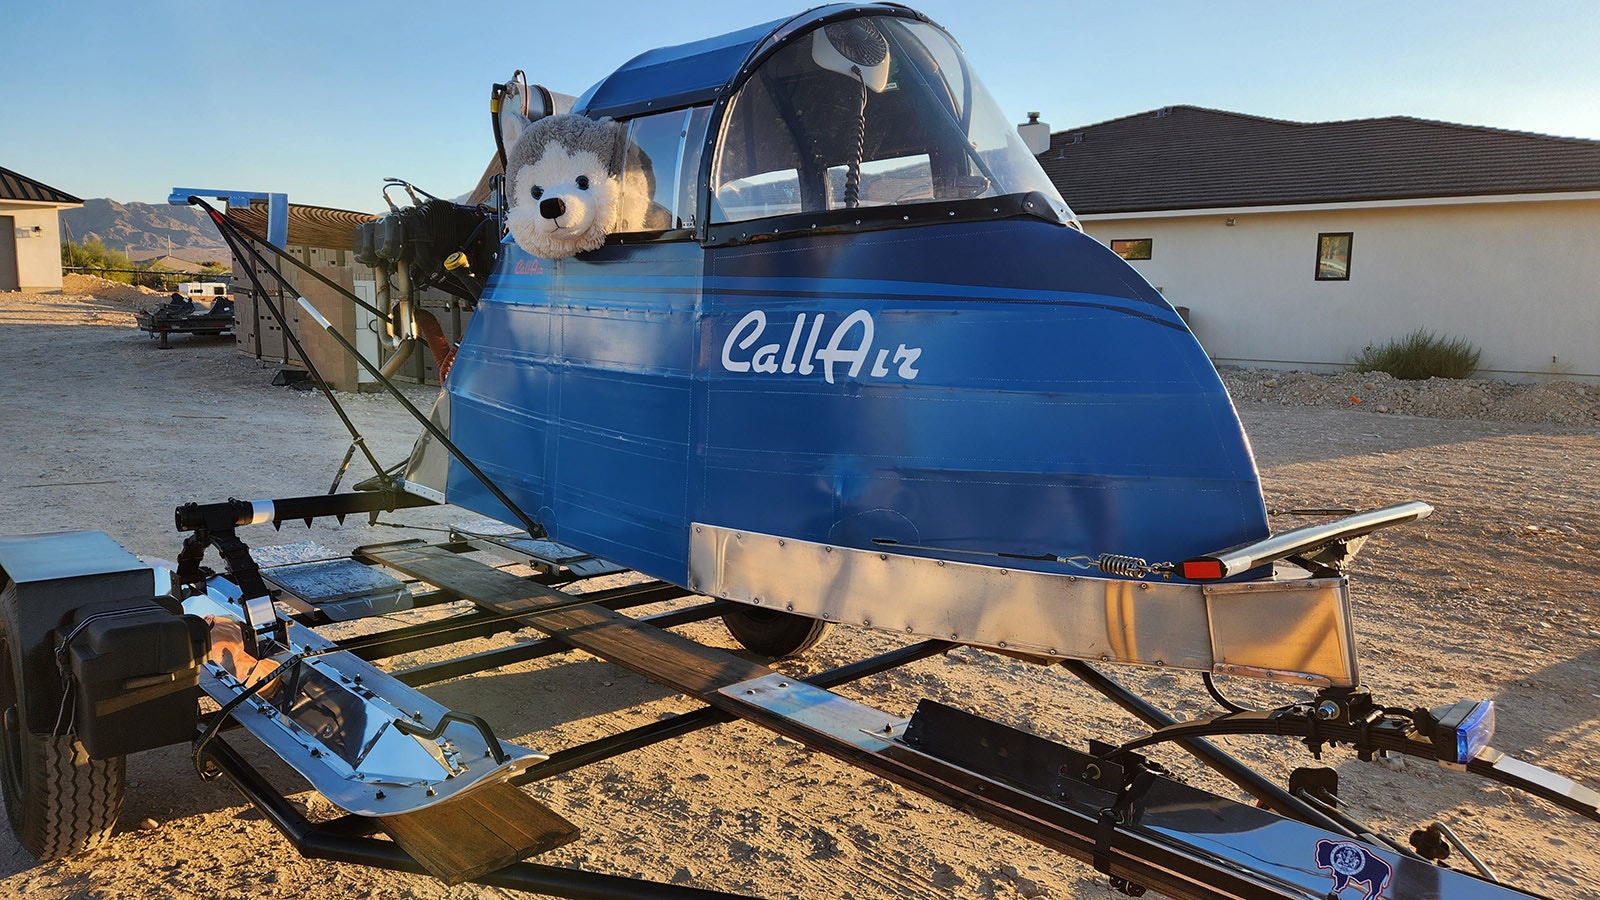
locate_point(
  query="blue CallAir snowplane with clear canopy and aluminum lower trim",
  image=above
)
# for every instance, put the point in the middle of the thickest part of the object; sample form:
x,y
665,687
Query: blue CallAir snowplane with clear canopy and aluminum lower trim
x,y
873,332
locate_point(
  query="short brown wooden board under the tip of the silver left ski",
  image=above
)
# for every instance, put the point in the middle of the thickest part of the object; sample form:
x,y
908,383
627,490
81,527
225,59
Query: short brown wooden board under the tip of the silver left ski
x,y
478,834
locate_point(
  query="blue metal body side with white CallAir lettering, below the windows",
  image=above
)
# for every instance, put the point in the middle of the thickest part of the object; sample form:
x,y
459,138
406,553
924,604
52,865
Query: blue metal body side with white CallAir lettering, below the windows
x,y
983,387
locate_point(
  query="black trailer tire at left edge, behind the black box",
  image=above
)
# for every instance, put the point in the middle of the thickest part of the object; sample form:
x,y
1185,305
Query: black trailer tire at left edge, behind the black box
x,y
58,800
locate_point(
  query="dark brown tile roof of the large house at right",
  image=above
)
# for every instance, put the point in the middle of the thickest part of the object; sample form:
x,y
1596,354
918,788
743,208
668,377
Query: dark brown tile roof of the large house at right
x,y
1186,158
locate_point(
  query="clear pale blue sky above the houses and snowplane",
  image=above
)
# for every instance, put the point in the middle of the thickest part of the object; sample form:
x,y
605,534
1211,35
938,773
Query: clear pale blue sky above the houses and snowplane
x,y
108,98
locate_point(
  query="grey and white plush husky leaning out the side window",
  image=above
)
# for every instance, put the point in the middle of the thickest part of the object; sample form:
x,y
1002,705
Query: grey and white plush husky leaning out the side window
x,y
572,182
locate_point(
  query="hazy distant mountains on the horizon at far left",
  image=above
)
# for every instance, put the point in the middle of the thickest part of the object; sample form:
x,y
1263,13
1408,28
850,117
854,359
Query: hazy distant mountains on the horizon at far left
x,y
146,230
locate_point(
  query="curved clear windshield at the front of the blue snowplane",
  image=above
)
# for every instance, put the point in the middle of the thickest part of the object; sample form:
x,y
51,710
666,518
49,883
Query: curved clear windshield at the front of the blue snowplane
x,y
868,113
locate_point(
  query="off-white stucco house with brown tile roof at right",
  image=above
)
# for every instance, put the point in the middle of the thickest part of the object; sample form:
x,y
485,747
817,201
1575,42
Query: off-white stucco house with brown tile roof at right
x,y
1295,246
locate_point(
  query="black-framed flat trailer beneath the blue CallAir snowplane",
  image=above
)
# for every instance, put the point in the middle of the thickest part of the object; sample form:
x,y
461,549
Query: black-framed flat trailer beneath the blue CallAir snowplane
x,y
433,790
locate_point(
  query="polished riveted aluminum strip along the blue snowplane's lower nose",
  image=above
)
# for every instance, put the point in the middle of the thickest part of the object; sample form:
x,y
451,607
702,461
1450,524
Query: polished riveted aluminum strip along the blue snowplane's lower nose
x,y
1292,632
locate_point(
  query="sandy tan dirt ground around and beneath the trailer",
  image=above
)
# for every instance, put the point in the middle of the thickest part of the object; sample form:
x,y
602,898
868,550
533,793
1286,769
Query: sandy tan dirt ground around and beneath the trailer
x,y
1497,597
